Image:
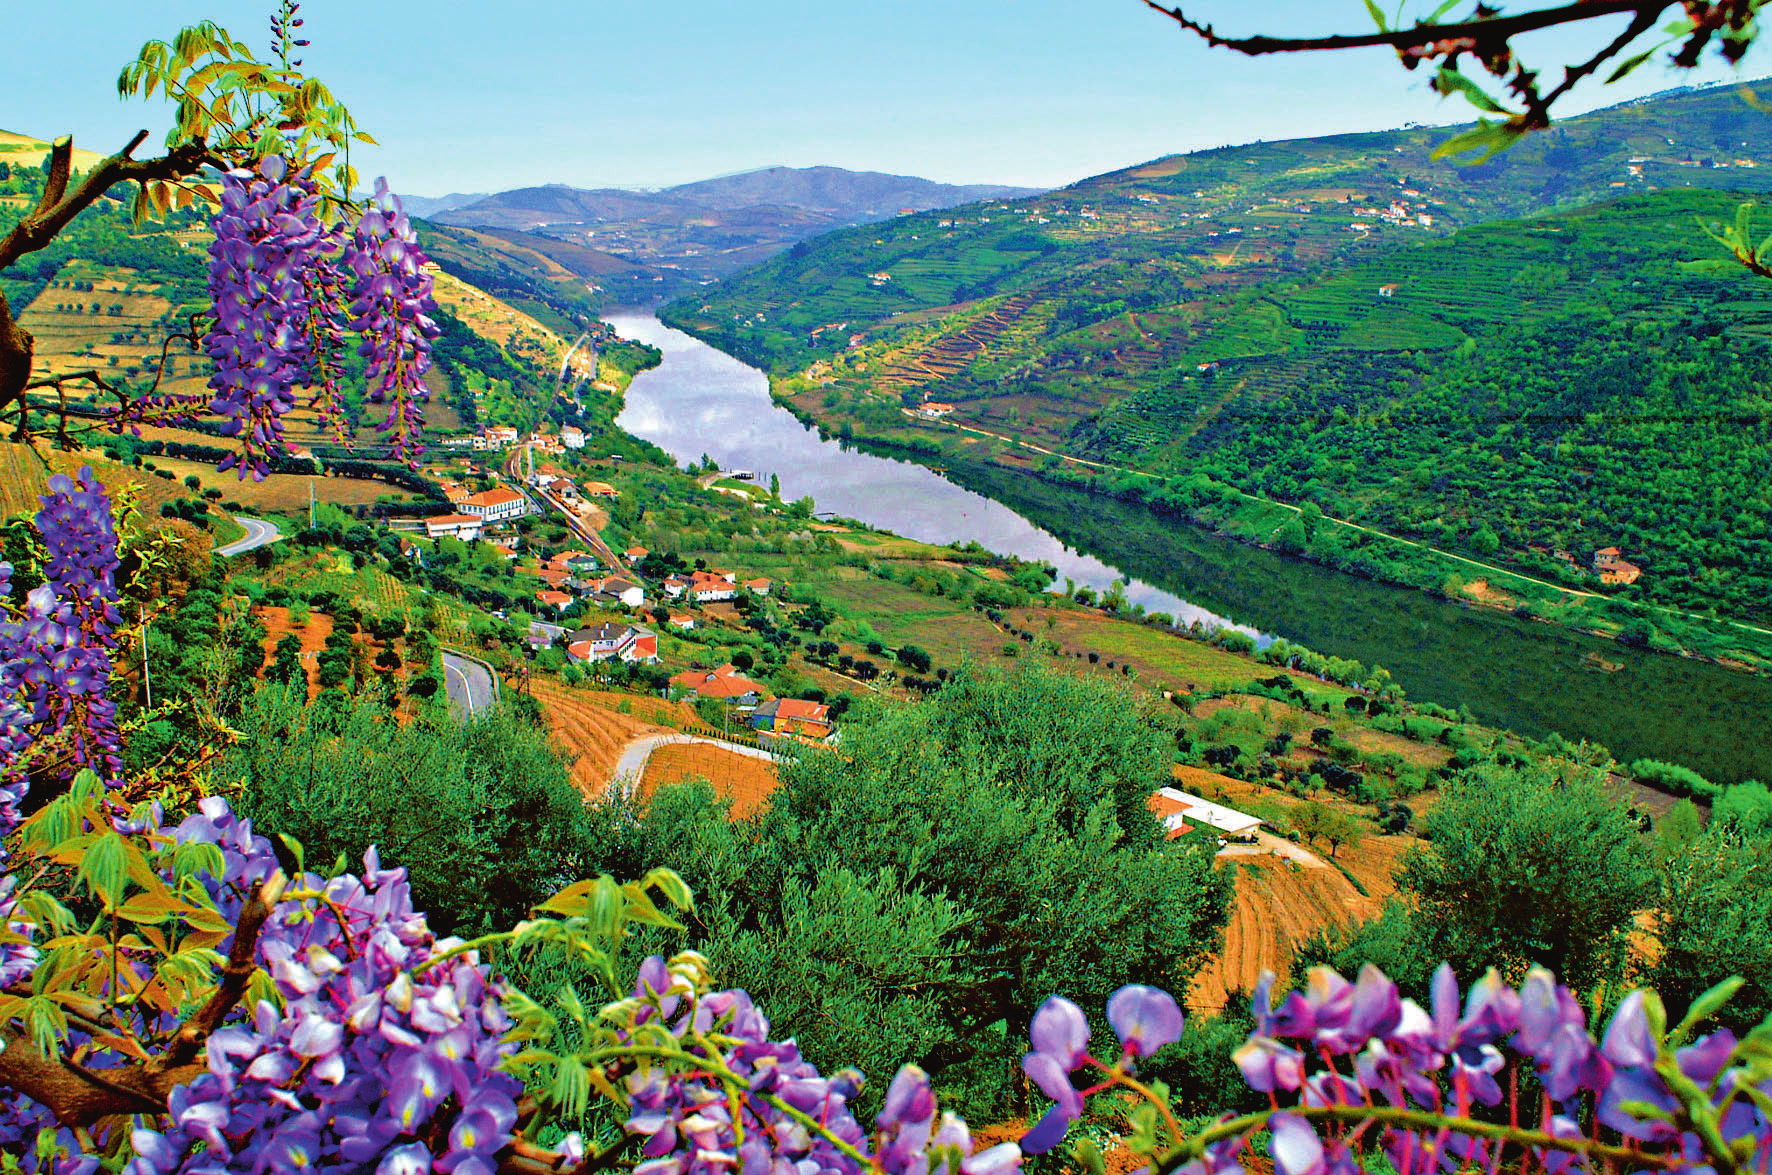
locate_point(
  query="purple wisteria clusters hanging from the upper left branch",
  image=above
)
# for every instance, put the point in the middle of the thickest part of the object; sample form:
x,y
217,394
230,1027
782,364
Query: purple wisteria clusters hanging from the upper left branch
x,y
284,283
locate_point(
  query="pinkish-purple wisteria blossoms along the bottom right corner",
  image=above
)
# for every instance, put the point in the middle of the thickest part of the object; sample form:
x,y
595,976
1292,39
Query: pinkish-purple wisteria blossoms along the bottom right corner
x,y
1353,1068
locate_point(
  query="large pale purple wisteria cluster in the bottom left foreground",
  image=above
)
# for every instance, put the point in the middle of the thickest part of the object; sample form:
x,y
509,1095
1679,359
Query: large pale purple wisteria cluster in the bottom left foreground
x,y
373,1052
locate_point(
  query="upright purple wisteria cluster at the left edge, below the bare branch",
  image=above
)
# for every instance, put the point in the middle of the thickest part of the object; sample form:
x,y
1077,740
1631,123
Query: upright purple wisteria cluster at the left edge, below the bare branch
x,y
56,658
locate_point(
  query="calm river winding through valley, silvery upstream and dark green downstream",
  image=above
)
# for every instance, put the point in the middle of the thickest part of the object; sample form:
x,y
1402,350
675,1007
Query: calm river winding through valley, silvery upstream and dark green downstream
x,y
1516,674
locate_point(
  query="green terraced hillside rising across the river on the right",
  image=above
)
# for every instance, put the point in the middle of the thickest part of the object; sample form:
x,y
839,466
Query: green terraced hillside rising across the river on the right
x,y
1509,362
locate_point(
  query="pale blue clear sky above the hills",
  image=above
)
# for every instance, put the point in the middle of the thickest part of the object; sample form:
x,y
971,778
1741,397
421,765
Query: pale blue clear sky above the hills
x,y
486,97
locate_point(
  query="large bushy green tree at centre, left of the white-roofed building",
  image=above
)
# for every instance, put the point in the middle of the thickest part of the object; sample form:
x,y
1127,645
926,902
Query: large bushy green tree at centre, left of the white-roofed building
x,y
905,901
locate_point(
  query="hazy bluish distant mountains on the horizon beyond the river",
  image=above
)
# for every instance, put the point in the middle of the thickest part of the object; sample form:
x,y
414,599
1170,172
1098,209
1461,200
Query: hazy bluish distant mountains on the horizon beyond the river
x,y
696,233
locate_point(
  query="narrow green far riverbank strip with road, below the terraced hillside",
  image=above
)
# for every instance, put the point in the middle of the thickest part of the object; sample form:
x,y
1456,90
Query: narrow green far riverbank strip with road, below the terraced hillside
x,y
1326,541
